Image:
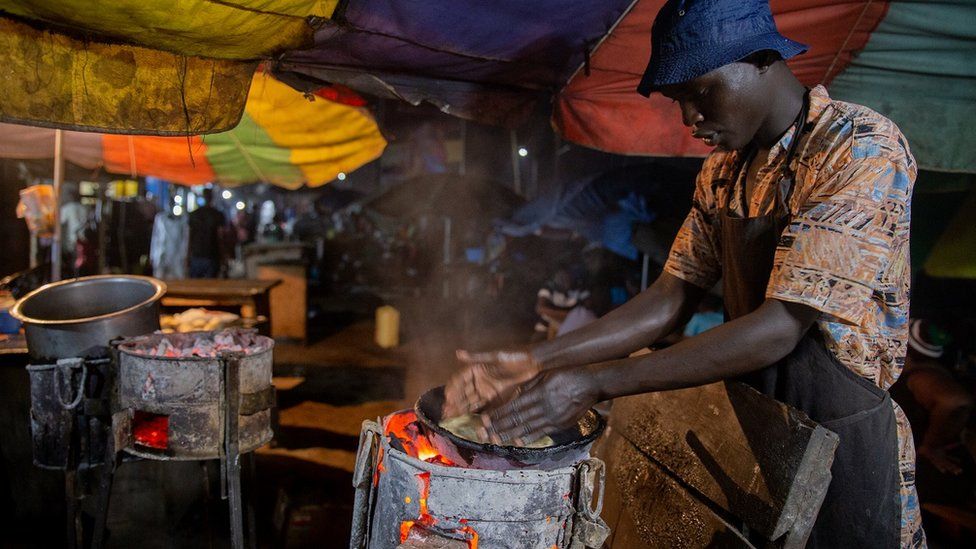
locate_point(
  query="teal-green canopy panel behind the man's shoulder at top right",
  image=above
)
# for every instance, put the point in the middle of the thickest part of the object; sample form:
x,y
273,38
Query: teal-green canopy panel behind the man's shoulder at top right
x,y
918,68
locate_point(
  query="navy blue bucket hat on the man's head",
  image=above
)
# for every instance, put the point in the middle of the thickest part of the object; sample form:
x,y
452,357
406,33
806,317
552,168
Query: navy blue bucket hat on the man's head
x,y
692,37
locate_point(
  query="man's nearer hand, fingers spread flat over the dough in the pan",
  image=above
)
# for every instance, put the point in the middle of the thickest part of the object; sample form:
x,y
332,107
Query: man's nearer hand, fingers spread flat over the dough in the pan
x,y
553,401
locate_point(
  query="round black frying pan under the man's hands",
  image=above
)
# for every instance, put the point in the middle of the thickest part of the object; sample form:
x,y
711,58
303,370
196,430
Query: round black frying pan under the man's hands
x,y
571,446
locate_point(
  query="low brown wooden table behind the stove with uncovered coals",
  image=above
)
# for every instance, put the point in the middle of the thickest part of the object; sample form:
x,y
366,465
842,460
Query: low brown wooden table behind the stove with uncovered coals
x,y
251,296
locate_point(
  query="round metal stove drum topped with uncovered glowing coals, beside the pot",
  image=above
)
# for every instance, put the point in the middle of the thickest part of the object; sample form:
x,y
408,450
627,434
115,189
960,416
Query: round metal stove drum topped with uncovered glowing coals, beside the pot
x,y
189,396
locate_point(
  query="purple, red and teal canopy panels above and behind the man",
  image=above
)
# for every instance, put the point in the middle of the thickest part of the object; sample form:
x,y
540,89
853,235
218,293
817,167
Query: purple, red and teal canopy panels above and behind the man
x,y
493,63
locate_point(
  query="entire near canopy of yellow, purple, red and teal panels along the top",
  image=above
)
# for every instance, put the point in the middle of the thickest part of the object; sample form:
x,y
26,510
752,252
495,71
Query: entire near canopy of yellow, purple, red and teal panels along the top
x,y
180,67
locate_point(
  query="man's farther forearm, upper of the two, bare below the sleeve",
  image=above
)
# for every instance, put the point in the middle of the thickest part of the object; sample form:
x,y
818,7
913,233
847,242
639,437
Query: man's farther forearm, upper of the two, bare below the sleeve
x,y
646,318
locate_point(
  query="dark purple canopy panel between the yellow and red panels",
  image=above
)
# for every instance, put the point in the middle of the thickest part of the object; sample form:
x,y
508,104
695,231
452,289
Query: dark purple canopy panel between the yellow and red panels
x,y
506,47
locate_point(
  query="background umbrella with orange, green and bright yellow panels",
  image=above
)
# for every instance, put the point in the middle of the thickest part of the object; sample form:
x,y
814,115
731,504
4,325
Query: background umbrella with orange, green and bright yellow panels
x,y
283,138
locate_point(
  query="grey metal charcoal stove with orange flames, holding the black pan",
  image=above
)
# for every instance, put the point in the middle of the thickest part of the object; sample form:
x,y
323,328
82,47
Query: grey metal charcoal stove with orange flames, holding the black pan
x,y
411,494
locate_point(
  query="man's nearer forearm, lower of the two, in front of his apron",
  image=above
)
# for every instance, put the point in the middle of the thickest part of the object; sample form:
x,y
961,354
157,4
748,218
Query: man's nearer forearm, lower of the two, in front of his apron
x,y
735,348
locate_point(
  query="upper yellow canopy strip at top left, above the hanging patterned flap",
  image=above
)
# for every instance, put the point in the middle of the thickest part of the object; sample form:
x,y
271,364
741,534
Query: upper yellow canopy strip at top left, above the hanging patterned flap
x,y
203,28
